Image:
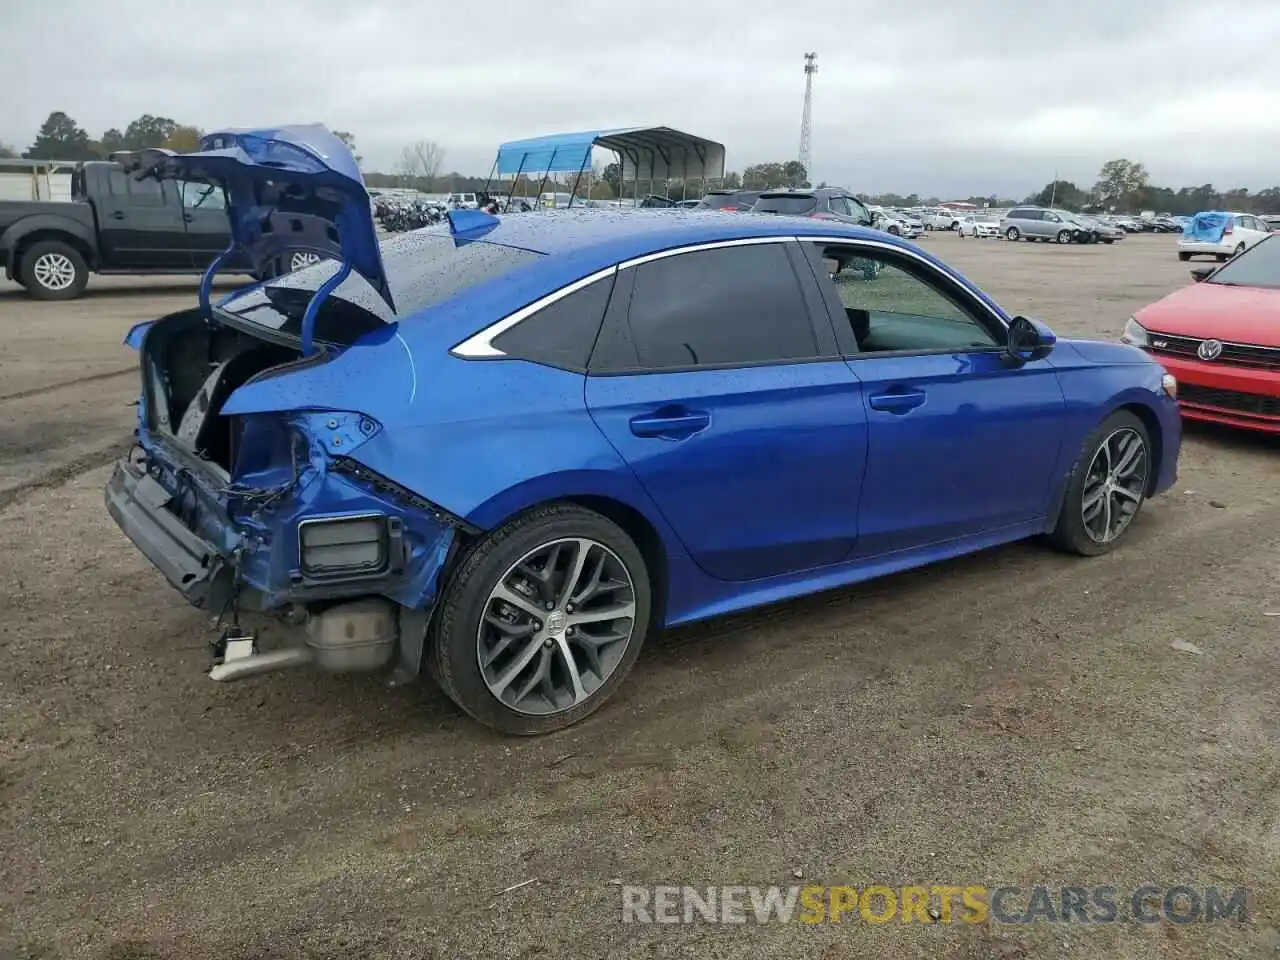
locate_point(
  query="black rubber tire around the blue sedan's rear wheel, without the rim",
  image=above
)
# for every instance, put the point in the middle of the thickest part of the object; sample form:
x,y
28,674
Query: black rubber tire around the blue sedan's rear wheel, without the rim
x,y
452,643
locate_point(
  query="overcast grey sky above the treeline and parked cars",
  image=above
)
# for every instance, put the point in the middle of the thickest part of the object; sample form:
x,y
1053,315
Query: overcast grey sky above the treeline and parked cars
x,y
943,98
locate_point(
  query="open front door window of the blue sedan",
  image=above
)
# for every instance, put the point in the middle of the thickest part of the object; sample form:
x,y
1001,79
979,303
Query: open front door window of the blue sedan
x,y
897,307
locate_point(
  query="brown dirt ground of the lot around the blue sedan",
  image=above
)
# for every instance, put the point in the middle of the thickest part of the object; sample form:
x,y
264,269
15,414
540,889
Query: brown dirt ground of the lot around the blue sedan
x,y
1017,717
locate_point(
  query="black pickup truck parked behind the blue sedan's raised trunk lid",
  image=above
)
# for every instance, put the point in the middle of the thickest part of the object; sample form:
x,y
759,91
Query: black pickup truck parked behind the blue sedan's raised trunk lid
x,y
116,225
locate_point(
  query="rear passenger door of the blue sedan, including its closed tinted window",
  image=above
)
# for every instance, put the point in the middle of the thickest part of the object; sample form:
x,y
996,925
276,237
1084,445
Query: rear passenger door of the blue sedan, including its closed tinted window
x,y
717,380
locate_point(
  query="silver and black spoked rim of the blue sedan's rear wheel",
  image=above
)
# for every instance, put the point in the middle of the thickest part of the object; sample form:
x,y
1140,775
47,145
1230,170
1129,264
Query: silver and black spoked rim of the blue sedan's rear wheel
x,y
556,627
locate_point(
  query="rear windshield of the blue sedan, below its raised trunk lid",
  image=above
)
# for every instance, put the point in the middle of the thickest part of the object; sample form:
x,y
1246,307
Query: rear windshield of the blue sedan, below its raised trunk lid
x,y
423,269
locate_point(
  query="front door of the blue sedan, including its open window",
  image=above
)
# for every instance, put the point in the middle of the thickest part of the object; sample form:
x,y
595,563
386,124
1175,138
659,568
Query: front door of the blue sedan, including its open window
x,y
961,444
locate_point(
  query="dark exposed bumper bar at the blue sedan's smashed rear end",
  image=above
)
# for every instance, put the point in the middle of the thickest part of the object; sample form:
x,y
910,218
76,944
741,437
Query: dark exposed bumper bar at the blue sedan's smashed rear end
x,y
195,568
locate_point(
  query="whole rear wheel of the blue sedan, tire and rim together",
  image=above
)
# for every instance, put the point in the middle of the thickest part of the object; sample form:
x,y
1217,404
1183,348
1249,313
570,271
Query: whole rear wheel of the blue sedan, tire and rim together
x,y
542,621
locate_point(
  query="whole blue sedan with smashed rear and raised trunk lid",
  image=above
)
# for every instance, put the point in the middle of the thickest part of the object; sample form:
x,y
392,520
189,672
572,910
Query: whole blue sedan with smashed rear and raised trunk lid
x,y
502,451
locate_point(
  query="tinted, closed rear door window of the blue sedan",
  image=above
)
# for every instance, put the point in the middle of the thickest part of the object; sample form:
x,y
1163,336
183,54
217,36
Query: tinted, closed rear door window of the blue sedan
x,y
720,308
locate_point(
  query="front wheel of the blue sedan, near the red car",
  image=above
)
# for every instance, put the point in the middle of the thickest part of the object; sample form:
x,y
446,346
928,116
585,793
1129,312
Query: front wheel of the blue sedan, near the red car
x,y
1107,488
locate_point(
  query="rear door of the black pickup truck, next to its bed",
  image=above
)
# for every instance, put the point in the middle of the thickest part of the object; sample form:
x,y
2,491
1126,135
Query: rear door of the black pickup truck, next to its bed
x,y
140,225
